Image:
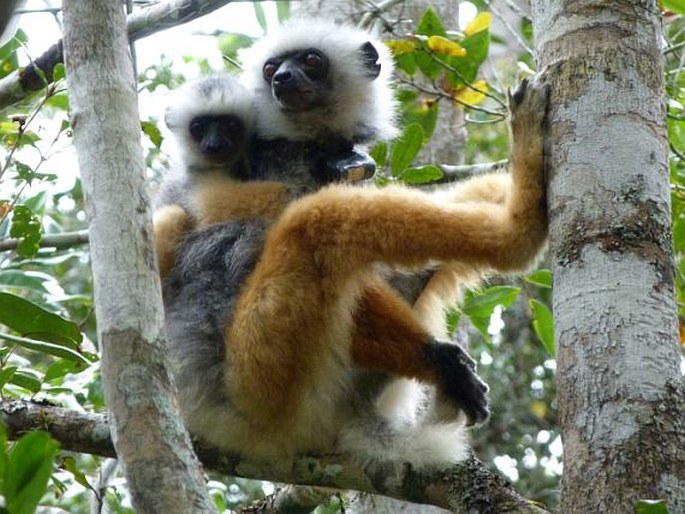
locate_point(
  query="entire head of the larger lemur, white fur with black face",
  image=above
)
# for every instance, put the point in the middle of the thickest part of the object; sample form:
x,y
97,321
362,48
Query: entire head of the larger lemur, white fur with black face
x,y
314,79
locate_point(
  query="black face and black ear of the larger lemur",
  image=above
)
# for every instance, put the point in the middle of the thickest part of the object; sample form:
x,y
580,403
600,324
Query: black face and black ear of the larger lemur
x,y
301,80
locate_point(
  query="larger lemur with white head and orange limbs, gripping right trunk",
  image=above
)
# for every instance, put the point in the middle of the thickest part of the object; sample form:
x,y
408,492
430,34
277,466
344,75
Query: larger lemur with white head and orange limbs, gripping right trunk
x,y
281,331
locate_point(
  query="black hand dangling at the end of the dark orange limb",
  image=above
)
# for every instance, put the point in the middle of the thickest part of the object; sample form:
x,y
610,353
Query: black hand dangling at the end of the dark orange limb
x,y
458,380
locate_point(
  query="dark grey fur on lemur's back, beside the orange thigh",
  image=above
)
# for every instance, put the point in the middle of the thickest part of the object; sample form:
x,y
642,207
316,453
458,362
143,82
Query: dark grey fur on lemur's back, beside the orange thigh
x,y
199,299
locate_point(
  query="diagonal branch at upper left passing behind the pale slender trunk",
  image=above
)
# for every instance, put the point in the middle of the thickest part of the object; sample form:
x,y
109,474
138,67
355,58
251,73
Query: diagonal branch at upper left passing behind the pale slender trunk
x,y
21,83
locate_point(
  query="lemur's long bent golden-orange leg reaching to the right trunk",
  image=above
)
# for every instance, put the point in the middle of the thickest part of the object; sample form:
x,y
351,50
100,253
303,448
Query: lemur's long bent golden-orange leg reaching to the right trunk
x,y
296,309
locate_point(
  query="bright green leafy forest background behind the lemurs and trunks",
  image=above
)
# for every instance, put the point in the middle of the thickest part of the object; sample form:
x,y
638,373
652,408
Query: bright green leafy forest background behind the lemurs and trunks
x,y
446,70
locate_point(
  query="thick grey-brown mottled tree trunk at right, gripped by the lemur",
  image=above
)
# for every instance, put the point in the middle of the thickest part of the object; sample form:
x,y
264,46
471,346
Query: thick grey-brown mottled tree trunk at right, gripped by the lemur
x,y
620,391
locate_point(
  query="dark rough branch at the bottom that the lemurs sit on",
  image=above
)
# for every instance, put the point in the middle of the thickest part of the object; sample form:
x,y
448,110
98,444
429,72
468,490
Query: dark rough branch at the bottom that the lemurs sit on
x,y
466,487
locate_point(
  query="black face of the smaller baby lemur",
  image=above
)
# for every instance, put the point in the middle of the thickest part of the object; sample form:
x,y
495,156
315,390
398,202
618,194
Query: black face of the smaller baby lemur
x,y
222,139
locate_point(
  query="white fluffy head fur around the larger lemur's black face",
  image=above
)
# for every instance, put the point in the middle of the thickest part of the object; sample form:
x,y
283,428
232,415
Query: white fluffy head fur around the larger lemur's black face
x,y
363,109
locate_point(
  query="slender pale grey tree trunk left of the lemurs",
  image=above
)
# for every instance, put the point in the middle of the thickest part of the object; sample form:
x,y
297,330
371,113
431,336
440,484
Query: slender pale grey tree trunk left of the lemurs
x,y
162,471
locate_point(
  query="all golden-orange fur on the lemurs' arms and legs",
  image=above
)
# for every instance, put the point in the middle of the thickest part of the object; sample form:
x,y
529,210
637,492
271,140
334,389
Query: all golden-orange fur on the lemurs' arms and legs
x,y
315,305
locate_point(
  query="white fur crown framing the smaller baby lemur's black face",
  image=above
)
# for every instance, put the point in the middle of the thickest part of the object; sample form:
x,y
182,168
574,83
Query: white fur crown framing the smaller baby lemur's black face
x,y
210,95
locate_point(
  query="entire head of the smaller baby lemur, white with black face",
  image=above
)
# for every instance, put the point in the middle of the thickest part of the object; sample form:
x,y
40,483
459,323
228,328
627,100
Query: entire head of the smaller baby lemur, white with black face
x,y
212,120
